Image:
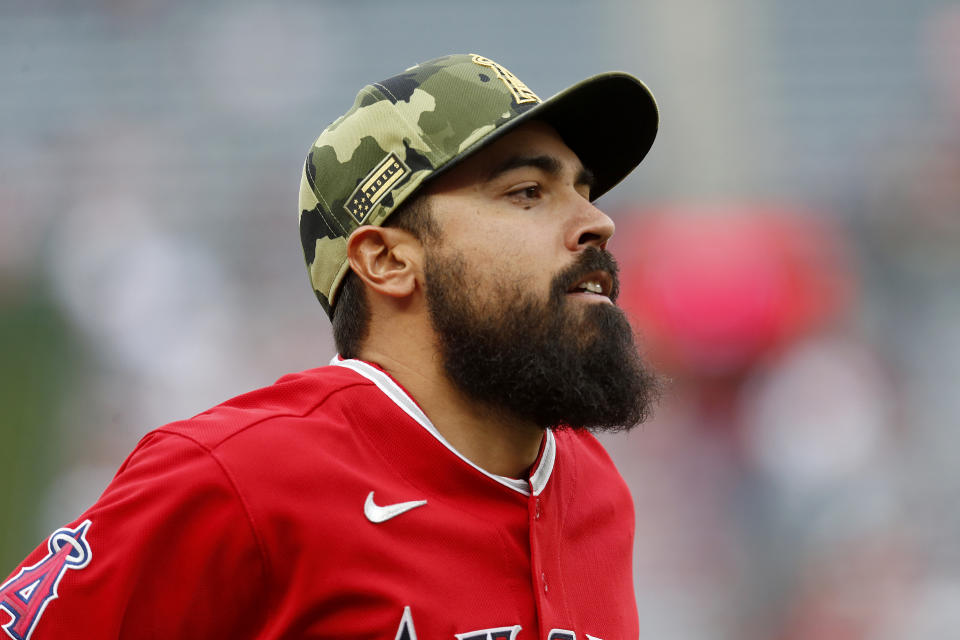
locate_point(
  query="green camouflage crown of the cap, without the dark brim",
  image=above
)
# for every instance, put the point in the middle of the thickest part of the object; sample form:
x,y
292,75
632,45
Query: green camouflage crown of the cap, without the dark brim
x,y
426,117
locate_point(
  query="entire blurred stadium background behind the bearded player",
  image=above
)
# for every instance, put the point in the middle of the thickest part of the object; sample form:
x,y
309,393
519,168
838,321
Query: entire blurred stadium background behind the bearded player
x,y
790,253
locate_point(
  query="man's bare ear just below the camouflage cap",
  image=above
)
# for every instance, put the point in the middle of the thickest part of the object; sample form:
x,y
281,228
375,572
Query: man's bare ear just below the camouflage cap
x,y
387,259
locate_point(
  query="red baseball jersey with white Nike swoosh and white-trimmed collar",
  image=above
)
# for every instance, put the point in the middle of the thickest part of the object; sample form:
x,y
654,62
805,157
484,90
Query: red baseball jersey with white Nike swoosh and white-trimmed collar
x,y
328,506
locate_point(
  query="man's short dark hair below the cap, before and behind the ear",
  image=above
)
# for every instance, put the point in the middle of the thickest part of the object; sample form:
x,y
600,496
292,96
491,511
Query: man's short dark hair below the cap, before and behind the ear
x,y
351,312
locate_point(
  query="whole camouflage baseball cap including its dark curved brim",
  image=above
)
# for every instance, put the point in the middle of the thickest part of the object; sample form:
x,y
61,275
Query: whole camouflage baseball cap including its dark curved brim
x,y
407,129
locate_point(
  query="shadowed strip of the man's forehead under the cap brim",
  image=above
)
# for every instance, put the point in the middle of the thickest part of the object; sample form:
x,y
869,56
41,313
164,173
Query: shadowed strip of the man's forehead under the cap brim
x,y
531,139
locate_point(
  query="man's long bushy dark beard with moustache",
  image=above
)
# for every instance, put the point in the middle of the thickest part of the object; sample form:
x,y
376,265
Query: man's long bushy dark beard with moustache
x,y
554,363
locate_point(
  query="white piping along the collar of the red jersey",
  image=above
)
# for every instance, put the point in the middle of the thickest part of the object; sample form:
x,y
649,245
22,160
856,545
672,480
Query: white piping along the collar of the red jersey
x,y
538,481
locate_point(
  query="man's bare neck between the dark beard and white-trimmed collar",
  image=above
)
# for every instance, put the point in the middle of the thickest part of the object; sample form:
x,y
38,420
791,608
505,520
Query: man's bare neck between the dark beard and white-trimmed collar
x,y
490,438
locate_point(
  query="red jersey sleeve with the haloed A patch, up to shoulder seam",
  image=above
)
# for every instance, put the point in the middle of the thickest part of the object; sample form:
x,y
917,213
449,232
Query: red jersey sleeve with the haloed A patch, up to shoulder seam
x,y
168,551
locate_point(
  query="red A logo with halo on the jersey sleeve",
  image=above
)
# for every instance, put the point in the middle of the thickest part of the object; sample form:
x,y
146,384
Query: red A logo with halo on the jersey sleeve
x,y
26,595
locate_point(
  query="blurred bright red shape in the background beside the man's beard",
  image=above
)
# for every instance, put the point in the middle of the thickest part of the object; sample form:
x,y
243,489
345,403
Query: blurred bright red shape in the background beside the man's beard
x,y
714,289
